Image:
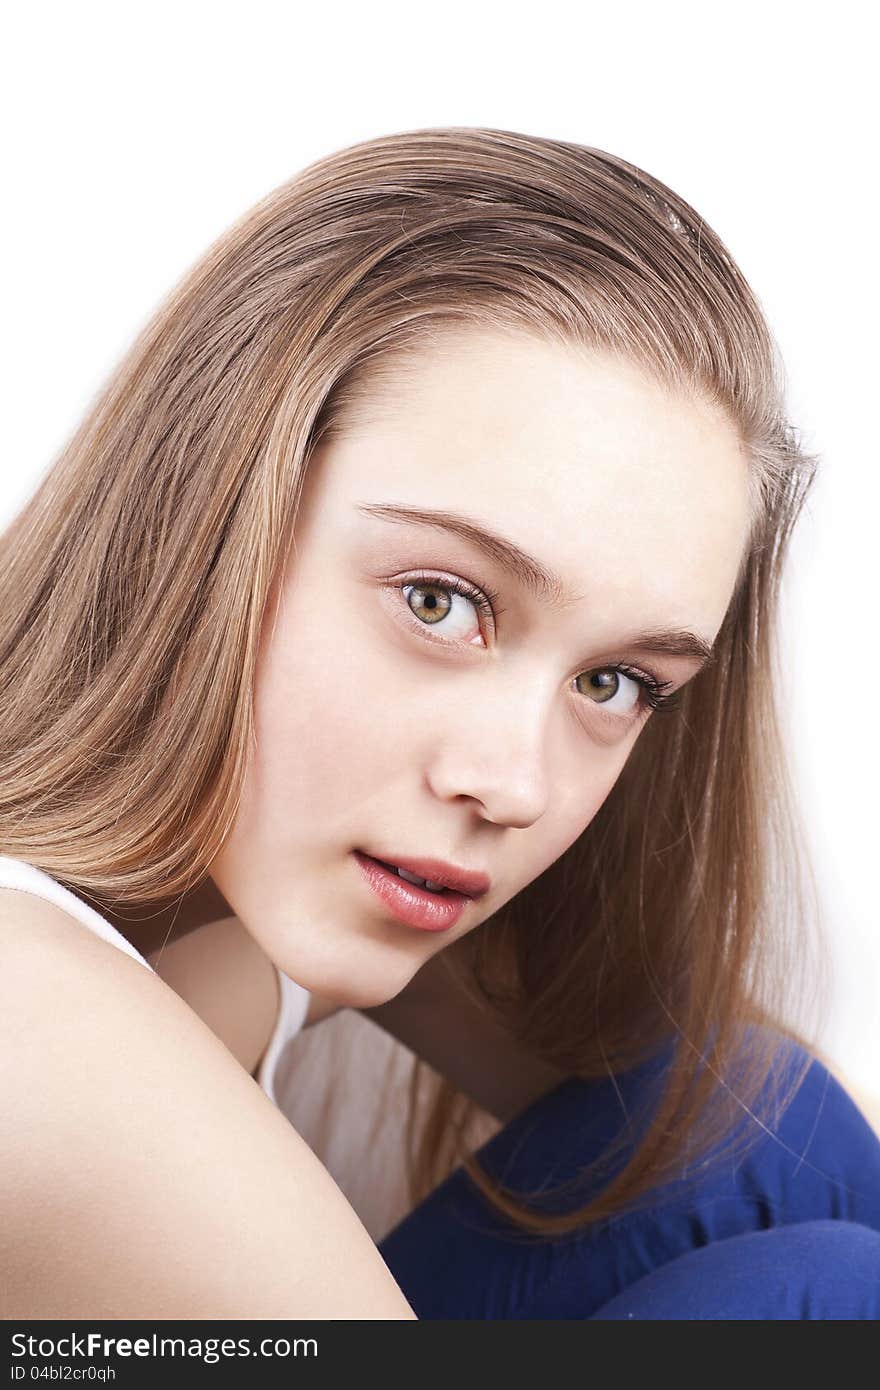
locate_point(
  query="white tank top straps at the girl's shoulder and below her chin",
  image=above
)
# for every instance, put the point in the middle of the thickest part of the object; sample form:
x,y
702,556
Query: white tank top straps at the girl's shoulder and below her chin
x,y
16,874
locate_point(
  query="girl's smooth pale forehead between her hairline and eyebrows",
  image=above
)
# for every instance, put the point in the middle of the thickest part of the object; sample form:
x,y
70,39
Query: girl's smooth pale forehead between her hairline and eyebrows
x,y
585,464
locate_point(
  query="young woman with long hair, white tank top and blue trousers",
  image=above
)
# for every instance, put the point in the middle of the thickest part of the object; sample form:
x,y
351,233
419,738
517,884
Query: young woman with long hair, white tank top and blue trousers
x,y
430,533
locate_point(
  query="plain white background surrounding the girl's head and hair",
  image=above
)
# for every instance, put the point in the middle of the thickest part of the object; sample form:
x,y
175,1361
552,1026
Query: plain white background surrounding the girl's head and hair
x,y
136,136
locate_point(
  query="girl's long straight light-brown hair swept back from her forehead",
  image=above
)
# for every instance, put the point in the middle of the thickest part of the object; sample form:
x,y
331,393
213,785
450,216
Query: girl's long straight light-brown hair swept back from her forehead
x,y
136,582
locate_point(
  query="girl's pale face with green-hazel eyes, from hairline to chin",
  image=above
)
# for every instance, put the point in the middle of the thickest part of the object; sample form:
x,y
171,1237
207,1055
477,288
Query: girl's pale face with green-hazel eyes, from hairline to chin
x,y
405,722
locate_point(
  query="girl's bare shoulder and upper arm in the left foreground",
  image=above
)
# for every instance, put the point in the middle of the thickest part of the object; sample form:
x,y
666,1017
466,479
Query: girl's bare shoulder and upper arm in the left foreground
x,y
145,1174
